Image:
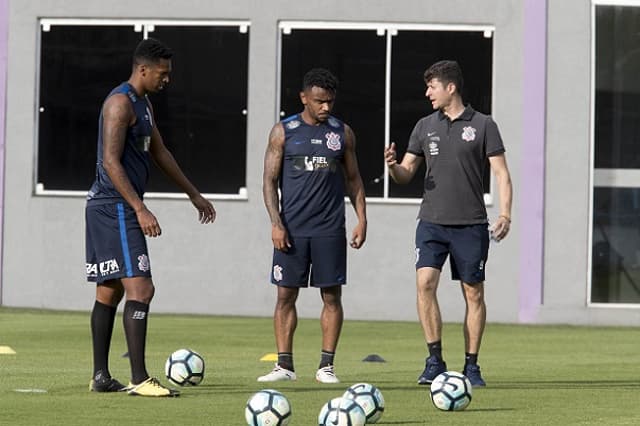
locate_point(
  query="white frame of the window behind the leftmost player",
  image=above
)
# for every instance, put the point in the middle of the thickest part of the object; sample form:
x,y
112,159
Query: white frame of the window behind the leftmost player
x,y
145,27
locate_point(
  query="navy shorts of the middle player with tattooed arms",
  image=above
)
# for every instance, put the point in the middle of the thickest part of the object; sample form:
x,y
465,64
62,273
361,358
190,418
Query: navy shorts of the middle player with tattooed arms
x,y
319,261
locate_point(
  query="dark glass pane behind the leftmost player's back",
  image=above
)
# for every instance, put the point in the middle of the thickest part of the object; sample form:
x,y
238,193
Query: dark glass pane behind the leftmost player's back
x,y
79,65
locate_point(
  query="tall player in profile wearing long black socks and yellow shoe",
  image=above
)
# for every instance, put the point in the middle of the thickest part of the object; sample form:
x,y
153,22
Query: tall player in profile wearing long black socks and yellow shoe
x,y
117,219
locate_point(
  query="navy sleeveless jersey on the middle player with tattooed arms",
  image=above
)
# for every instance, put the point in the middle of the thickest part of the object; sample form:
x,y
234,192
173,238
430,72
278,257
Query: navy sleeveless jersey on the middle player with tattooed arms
x,y
311,180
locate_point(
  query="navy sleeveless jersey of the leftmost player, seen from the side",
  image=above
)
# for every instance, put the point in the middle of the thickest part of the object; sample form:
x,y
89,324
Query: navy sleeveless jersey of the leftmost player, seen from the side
x,y
135,156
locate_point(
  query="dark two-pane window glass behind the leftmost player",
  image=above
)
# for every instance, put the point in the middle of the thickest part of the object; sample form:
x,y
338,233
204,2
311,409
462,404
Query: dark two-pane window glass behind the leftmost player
x,y
201,115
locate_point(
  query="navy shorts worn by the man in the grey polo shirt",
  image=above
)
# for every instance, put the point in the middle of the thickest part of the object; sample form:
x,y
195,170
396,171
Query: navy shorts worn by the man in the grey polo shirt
x,y
468,246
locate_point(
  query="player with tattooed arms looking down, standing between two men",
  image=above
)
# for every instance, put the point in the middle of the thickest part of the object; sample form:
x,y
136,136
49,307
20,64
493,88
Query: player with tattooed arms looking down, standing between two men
x,y
306,158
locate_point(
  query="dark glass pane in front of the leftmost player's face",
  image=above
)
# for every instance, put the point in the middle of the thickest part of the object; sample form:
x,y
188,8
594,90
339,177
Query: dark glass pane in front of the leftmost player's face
x,y
202,114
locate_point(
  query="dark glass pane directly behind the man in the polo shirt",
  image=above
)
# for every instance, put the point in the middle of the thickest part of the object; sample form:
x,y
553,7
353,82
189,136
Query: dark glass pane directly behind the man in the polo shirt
x,y
412,53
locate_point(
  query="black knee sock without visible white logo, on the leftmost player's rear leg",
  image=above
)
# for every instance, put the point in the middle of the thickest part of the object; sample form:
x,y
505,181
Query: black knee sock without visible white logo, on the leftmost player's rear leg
x,y
102,319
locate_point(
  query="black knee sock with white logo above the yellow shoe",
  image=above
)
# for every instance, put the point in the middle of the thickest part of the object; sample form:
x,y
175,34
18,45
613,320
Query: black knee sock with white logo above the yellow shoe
x,y
135,330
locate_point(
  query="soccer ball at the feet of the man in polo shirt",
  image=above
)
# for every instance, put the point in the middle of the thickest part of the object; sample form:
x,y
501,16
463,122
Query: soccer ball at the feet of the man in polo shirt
x,y
451,391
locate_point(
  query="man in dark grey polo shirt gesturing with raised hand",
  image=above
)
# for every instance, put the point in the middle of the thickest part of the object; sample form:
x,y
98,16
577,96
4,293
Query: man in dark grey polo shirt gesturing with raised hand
x,y
455,141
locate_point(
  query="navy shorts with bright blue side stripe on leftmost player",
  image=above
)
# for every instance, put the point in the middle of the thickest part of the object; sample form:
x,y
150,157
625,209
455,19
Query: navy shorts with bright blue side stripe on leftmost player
x,y
115,245
